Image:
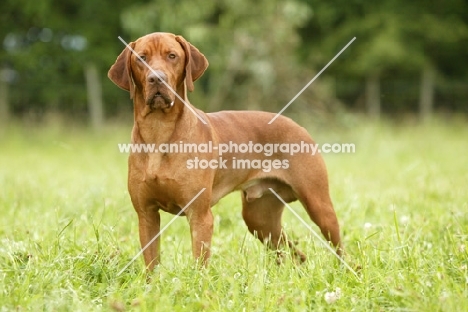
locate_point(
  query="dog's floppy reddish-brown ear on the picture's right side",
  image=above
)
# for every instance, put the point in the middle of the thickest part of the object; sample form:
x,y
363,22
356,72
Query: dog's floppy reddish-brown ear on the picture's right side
x,y
195,62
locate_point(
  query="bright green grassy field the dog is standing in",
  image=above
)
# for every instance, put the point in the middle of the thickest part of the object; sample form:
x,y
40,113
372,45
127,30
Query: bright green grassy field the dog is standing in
x,y
67,228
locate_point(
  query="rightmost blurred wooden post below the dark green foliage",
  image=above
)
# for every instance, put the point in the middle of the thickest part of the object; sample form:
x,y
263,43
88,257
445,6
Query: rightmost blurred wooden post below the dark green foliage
x,y
426,93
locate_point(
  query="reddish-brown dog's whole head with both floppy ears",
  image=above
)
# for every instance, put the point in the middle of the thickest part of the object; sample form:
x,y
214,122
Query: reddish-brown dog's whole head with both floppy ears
x,y
155,64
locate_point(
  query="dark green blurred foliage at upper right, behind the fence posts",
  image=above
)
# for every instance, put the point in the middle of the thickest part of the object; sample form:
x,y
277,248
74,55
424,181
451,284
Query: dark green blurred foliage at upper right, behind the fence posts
x,y
395,39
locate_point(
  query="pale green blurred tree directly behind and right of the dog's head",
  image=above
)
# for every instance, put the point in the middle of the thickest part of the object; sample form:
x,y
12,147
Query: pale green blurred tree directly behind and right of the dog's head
x,y
251,47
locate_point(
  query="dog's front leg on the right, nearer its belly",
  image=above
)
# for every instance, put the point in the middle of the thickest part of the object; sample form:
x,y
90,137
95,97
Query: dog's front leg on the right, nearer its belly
x,y
201,229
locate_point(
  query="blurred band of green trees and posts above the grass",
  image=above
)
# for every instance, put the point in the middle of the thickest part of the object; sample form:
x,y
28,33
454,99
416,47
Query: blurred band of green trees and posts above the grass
x,y
410,58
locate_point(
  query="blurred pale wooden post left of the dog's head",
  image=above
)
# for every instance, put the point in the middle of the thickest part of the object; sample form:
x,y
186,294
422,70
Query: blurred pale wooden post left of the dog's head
x,y
94,91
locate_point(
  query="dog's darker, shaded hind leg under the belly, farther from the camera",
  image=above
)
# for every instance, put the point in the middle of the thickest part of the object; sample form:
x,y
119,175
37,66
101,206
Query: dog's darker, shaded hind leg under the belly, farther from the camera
x,y
263,218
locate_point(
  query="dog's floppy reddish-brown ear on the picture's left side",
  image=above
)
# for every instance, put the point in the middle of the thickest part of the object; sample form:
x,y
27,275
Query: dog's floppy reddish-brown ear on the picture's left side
x,y
121,72
